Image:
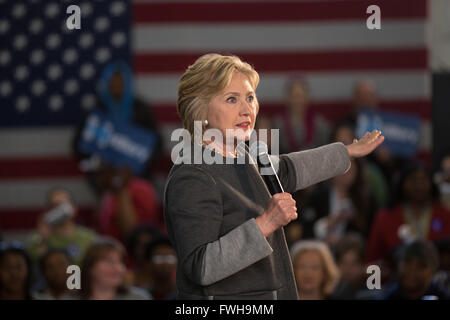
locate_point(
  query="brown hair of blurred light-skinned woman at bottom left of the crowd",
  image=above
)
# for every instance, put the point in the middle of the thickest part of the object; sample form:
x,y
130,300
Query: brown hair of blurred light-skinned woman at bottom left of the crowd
x,y
93,254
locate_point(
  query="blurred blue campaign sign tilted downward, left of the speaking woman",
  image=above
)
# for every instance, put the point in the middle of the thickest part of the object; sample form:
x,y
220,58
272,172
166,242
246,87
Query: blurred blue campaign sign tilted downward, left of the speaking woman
x,y
116,142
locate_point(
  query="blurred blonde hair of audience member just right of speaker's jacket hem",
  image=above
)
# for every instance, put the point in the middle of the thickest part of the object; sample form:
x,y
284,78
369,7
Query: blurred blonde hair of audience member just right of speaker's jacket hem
x,y
329,265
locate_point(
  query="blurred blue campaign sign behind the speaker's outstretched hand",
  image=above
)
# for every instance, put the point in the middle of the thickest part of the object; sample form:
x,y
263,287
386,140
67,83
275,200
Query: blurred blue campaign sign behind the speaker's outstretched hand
x,y
401,131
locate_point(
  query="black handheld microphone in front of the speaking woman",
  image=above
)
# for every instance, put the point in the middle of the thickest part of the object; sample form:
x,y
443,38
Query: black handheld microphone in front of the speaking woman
x,y
259,151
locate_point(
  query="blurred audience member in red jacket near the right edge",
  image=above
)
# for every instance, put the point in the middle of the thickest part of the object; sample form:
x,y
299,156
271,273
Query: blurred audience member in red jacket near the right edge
x,y
416,216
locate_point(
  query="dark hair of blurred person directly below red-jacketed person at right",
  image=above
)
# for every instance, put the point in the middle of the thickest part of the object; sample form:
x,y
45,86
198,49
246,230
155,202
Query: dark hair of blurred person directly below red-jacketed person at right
x,y
424,251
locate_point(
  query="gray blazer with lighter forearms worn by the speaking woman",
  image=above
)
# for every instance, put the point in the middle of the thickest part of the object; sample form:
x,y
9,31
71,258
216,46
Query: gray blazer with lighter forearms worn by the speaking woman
x,y
210,212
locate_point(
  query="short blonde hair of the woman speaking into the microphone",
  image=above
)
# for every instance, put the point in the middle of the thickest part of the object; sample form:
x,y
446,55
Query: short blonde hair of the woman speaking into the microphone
x,y
208,76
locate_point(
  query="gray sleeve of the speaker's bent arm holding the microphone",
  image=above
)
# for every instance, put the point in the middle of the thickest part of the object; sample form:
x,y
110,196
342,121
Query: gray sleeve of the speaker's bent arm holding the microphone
x,y
194,208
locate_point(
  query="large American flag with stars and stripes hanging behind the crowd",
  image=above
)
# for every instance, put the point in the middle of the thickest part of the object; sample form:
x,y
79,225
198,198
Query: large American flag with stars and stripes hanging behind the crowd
x,y
49,73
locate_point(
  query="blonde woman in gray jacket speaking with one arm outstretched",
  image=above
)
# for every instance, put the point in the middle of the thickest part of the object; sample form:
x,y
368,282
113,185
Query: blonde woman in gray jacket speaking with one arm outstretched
x,y
221,218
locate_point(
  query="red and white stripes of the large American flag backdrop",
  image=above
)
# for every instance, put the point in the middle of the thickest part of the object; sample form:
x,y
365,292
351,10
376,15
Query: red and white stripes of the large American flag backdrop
x,y
326,42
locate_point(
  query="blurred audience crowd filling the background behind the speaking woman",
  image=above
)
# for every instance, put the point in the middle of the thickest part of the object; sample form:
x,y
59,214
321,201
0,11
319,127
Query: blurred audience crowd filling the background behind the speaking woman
x,y
385,211
